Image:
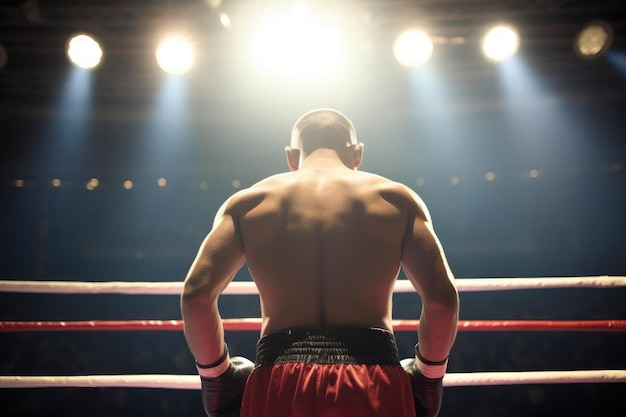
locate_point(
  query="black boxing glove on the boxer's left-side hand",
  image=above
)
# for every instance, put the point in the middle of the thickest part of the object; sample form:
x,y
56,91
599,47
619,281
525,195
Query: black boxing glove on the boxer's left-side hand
x,y
221,395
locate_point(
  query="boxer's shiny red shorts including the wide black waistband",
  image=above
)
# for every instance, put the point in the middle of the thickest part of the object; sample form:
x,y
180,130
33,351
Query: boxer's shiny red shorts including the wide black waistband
x,y
328,373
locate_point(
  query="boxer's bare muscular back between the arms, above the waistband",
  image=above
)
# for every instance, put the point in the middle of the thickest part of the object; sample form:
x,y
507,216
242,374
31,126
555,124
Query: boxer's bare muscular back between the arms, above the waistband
x,y
324,246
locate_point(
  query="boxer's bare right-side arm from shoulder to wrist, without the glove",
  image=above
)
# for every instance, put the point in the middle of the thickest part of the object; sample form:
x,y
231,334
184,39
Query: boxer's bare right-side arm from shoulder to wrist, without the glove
x,y
426,267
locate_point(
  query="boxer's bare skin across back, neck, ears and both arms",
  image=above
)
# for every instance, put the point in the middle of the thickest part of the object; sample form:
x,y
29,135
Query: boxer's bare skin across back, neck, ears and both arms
x,y
324,244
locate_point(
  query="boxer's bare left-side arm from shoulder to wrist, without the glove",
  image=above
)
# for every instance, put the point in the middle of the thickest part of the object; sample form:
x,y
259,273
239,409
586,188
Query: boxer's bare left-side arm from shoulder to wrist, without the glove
x,y
219,258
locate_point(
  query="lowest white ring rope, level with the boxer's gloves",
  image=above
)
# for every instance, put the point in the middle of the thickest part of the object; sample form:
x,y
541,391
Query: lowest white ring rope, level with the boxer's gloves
x,y
192,382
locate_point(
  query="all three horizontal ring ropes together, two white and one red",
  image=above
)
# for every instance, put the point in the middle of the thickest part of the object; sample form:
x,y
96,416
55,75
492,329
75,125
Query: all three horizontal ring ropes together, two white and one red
x,y
192,382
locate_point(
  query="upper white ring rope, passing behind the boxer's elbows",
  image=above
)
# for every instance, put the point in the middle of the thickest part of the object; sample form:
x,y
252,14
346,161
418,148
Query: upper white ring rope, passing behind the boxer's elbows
x,y
248,287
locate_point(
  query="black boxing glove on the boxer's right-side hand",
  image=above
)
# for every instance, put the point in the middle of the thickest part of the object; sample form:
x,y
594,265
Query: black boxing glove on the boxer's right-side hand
x,y
427,391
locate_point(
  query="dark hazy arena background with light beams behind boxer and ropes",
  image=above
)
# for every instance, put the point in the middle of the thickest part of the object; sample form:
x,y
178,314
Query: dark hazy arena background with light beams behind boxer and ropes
x,y
115,173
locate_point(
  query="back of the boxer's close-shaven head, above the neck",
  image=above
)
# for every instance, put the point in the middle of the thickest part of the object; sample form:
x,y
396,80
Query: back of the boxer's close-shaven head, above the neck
x,y
323,128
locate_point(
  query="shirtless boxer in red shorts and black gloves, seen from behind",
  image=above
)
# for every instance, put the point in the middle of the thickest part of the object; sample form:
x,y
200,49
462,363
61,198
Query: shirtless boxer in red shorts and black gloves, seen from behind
x,y
324,244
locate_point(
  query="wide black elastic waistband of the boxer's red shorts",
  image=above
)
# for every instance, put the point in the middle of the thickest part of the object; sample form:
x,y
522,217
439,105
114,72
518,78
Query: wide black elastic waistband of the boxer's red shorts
x,y
365,346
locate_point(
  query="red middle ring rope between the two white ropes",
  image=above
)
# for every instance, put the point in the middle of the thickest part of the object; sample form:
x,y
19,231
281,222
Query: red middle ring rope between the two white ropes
x,y
254,324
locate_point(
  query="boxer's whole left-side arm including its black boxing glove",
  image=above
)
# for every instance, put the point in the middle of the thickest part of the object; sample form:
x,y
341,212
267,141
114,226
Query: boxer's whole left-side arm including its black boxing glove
x,y
219,258
